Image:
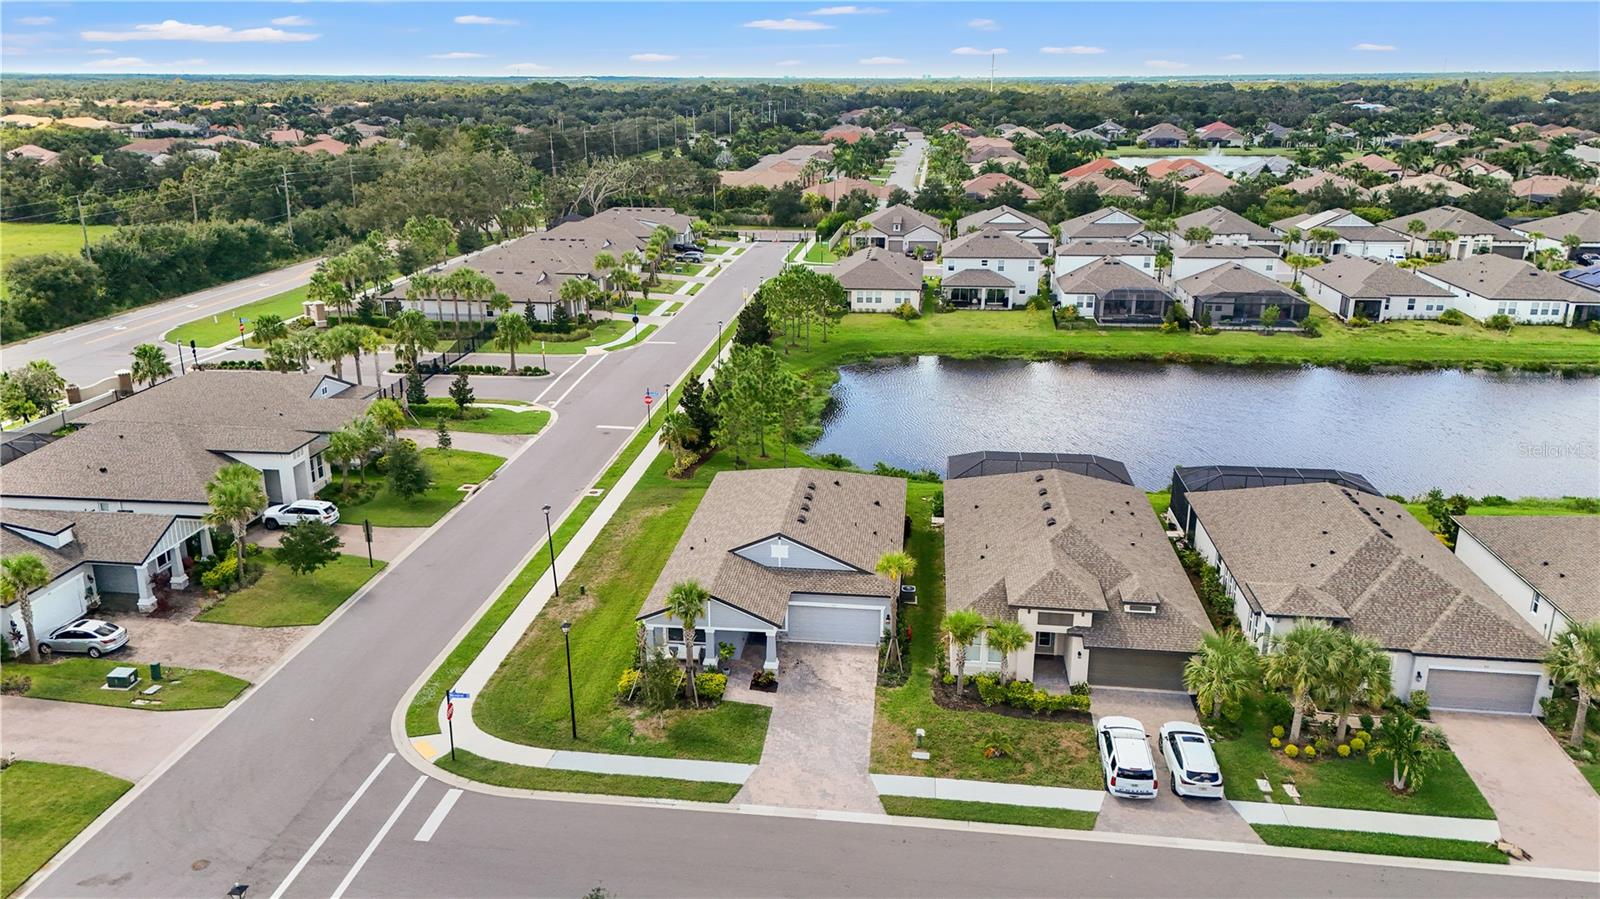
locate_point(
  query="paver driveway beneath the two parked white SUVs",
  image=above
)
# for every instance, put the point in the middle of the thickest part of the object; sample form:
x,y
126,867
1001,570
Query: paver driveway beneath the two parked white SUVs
x,y
1167,815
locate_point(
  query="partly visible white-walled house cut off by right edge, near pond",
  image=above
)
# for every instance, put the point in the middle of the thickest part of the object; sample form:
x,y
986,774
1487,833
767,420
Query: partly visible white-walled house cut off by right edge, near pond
x,y
1545,567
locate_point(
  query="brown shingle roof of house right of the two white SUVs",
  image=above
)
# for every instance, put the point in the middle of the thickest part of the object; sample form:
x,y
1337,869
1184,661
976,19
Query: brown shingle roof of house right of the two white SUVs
x,y
1366,557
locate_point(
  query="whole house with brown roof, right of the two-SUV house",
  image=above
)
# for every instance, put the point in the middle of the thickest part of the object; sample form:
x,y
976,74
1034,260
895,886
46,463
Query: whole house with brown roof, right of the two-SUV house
x,y
1361,562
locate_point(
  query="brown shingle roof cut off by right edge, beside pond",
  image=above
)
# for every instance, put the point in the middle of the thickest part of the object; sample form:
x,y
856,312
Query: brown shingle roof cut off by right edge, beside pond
x,y
1558,554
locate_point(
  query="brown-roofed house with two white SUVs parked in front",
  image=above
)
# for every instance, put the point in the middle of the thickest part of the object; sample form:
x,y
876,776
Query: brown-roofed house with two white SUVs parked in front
x,y
1073,553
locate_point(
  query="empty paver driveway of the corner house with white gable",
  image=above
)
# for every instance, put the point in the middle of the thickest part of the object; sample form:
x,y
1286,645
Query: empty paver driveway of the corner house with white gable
x,y
820,738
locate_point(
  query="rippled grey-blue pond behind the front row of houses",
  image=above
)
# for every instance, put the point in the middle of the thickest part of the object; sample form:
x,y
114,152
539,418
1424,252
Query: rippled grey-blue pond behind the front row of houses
x,y
1466,433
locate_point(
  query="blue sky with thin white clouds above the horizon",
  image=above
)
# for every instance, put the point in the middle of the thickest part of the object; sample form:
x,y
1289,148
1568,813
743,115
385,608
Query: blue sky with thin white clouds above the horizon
x,y
884,39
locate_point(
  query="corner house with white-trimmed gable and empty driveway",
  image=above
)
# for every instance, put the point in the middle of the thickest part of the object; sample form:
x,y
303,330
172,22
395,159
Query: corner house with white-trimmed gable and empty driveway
x,y
786,554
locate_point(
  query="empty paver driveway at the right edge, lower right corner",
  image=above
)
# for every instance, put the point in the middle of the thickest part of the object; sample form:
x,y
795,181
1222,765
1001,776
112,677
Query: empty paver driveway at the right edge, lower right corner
x,y
1543,804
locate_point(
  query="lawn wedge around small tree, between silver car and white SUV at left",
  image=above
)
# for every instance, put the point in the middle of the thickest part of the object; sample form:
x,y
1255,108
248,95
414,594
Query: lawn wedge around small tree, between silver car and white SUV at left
x,y
282,599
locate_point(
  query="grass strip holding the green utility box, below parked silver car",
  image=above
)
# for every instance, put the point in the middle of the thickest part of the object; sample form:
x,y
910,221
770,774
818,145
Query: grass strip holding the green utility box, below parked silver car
x,y
82,681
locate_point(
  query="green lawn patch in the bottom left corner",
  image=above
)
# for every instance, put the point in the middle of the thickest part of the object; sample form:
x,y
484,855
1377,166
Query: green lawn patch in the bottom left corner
x,y
46,807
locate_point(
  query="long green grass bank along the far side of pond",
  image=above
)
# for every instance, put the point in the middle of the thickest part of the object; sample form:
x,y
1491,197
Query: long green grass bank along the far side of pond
x,y
1031,335
